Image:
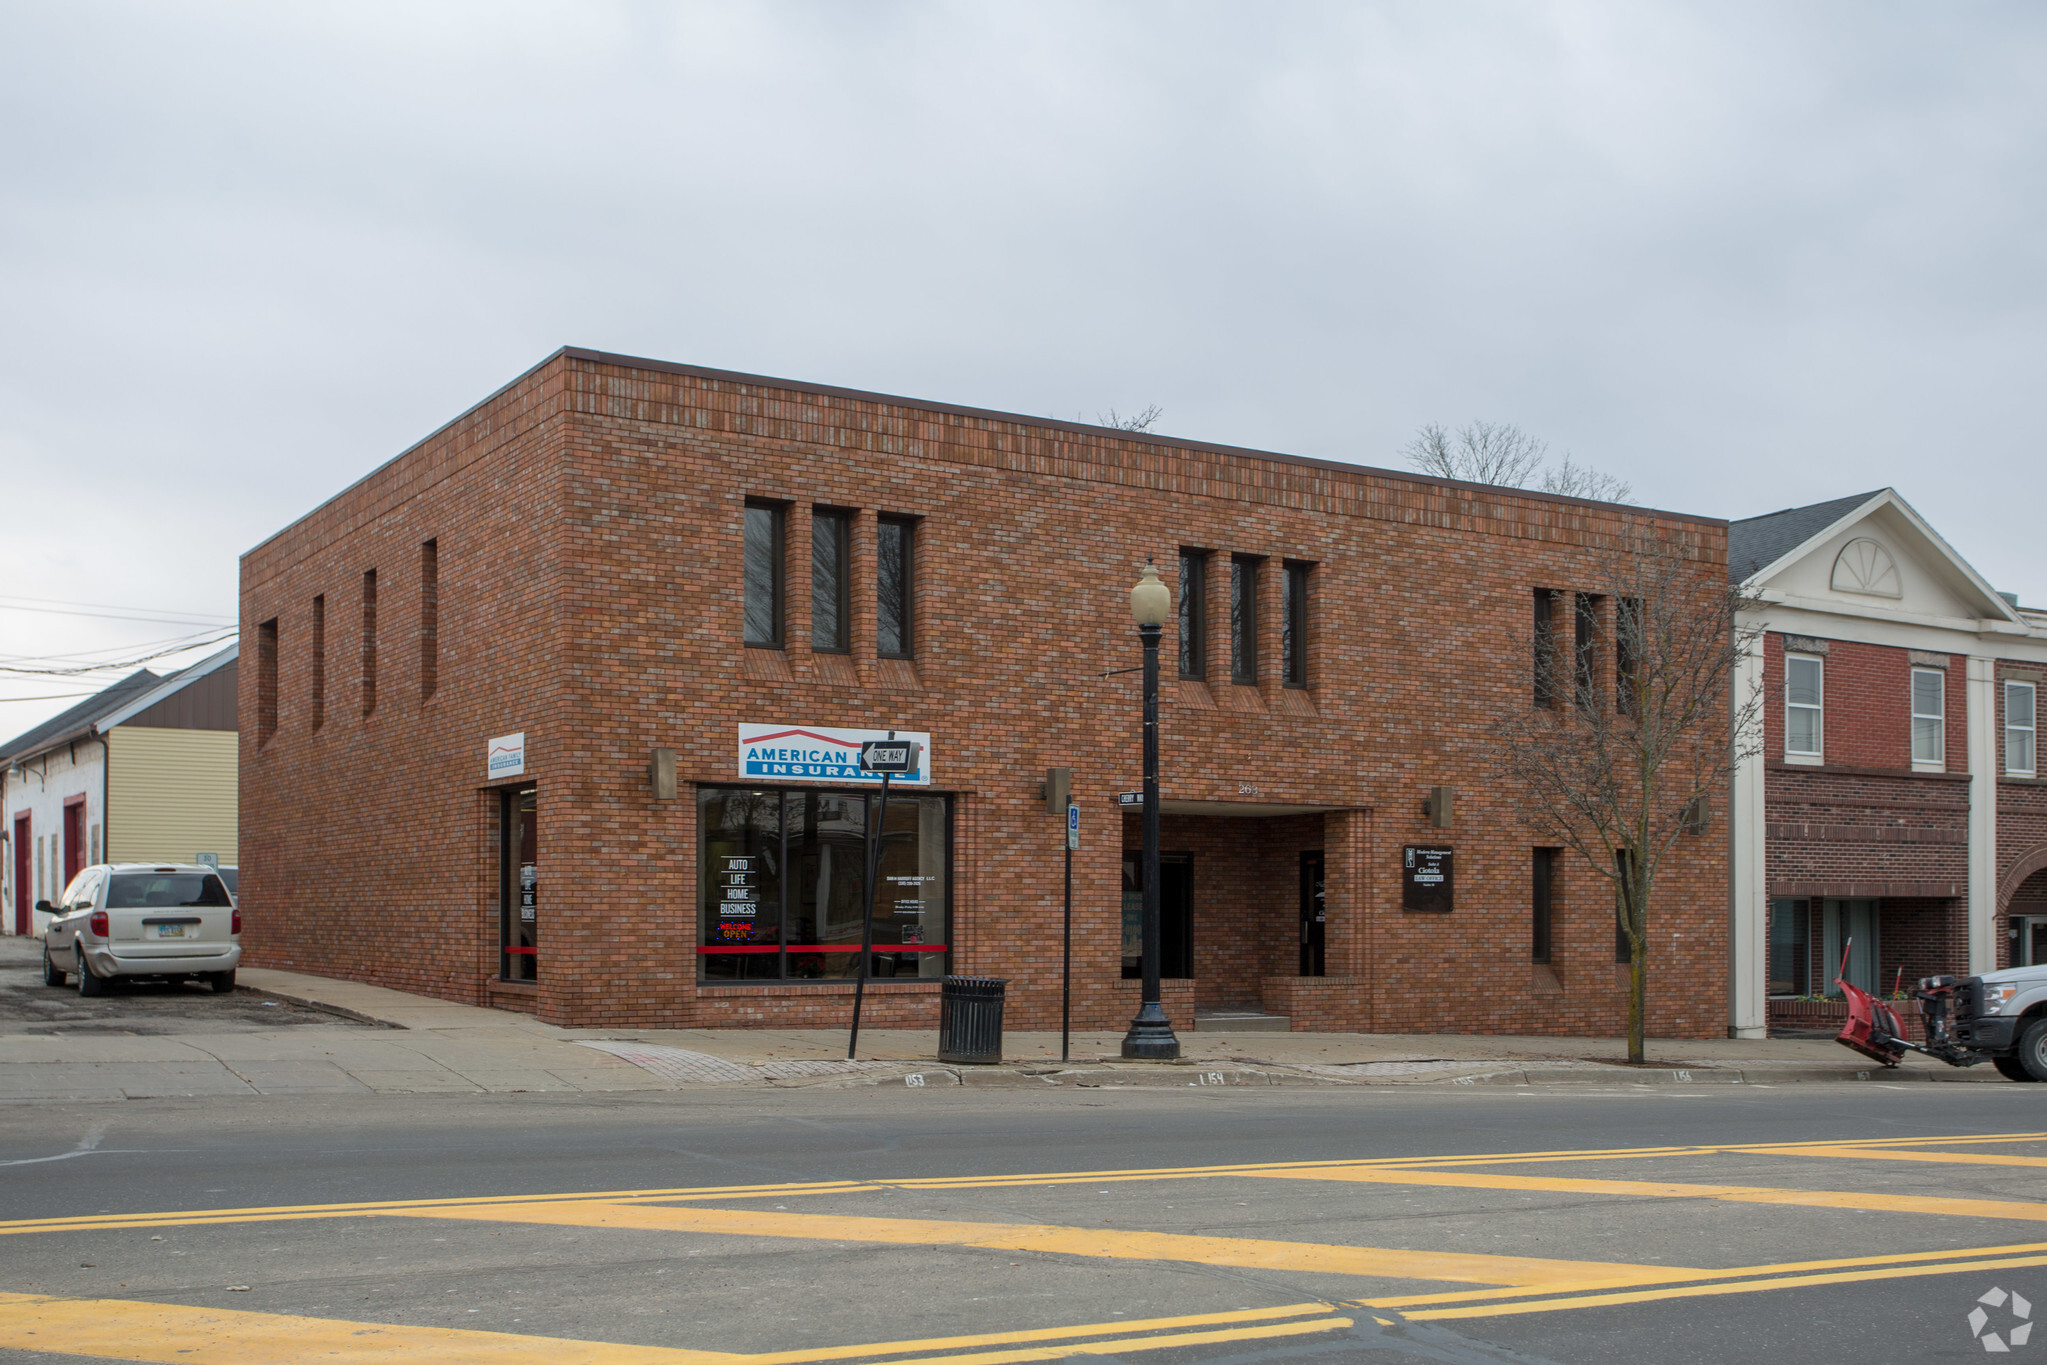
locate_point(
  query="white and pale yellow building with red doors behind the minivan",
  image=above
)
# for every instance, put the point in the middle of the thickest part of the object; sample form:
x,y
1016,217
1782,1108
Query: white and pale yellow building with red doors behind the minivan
x,y
140,773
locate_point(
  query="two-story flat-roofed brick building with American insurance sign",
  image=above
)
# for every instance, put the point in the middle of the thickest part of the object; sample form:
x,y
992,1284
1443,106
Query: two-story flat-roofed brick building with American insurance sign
x,y
474,668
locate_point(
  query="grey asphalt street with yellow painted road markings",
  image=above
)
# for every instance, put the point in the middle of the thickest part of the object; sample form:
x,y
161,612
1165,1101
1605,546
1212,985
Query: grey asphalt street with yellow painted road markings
x,y
1821,1223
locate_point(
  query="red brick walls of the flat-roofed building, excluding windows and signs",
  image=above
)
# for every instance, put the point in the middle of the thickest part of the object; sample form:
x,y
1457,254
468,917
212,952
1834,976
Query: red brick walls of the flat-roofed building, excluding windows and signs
x,y
589,525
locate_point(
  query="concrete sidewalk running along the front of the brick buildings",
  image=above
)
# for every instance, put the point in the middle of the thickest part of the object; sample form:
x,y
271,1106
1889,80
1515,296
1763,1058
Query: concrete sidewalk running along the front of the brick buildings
x,y
394,1043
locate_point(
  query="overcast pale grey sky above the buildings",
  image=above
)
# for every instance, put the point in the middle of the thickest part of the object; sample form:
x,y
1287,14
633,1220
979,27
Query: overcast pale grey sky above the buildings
x,y
1741,255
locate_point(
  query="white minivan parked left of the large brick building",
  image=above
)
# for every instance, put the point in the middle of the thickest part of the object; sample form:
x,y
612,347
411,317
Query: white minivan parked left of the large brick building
x,y
142,920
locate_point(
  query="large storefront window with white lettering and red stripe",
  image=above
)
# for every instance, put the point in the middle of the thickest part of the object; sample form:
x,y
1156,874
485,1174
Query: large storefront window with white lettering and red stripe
x,y
783,877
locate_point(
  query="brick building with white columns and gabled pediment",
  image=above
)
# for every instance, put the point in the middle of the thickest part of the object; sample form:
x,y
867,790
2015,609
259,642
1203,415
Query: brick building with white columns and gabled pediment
x,y
1899,799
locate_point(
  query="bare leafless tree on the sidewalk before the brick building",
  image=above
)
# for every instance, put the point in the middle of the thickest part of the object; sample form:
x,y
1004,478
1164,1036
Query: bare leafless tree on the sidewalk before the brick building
x,y
1632,728
